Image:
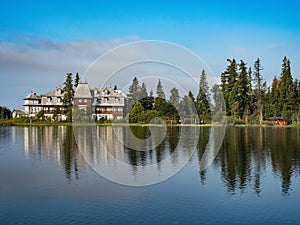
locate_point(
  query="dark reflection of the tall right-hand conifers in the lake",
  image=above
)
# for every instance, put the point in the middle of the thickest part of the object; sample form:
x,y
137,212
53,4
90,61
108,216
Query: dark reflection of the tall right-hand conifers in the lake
x,y
248,152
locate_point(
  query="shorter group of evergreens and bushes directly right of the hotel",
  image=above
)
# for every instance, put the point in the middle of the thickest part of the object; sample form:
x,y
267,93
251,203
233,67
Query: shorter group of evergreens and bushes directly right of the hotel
x,y
143,107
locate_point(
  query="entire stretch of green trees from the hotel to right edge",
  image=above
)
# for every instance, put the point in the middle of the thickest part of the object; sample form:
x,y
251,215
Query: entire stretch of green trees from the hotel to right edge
x,y
243,95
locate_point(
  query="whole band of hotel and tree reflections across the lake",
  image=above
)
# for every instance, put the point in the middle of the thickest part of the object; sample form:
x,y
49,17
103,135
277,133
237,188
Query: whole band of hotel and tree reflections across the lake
x,y
247,153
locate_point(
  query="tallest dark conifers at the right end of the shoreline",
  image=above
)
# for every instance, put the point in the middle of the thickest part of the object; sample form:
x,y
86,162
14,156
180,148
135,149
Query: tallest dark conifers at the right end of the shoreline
x,y
248,97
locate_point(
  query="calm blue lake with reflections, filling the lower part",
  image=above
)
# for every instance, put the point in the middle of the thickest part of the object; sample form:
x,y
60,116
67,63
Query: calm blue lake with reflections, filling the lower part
x,y
106,175
